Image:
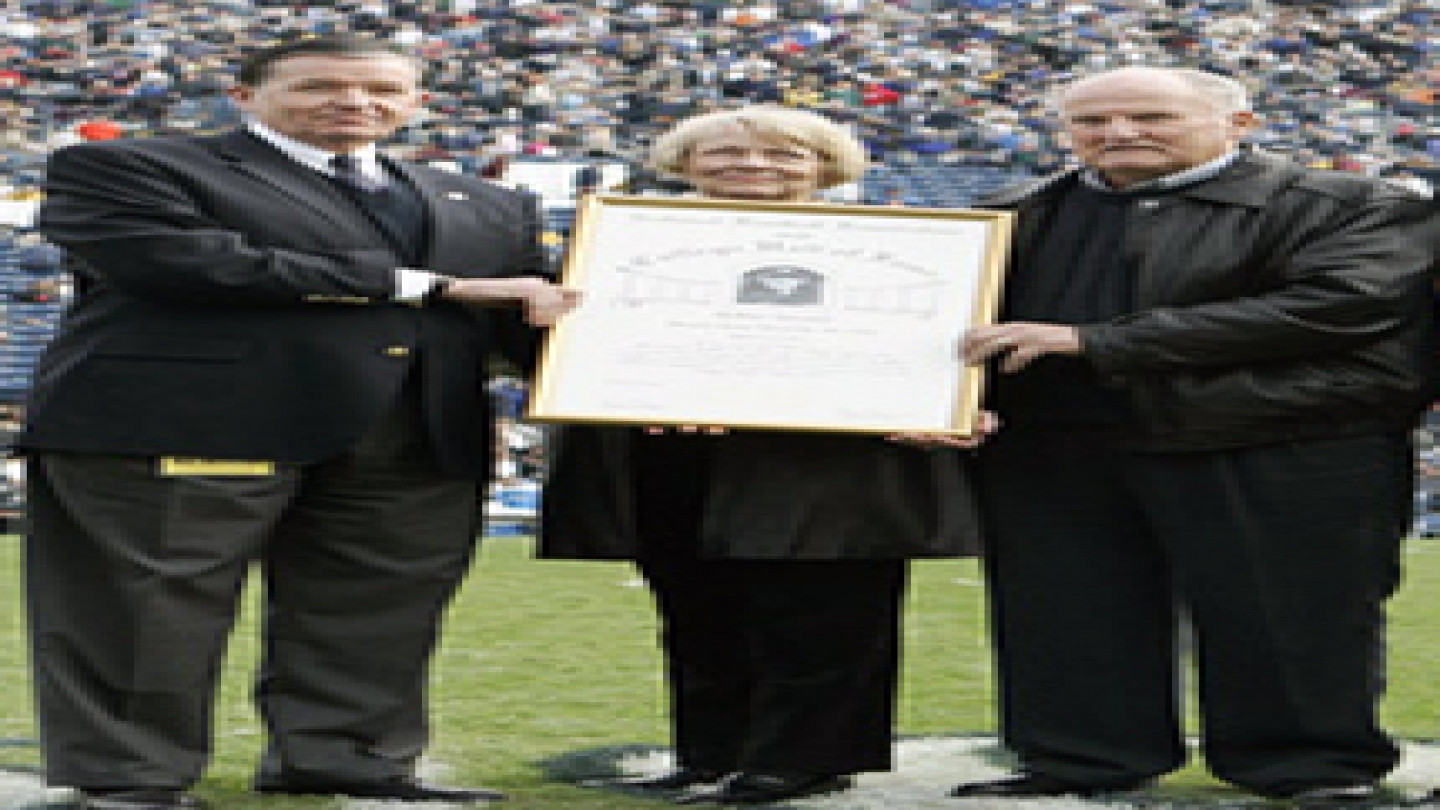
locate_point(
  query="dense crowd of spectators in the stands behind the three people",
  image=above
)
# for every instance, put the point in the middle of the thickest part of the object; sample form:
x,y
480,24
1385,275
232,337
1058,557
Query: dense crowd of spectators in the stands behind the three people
x,y
1350,86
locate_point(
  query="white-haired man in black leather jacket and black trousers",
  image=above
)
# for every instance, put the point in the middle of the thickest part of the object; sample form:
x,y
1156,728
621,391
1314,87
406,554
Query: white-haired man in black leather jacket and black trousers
x,y
1210,361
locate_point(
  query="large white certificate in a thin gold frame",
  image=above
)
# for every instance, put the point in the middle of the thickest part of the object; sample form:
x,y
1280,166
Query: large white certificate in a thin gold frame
x,y
780,316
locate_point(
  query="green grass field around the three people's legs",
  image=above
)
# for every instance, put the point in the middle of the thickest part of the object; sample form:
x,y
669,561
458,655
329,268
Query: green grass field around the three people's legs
x,y
546,661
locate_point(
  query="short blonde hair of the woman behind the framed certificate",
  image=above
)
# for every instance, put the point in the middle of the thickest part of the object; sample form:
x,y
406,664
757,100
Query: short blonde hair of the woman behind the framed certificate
x,y
842,155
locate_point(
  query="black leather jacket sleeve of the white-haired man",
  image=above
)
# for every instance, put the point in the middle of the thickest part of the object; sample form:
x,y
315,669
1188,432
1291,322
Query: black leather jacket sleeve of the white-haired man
x,y
1349,275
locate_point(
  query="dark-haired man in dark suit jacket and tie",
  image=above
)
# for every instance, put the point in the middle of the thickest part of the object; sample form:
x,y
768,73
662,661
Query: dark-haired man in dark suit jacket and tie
x,y
277,354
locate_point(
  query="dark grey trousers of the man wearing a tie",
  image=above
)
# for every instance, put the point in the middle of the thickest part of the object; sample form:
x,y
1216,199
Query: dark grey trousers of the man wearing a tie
x,y
133,584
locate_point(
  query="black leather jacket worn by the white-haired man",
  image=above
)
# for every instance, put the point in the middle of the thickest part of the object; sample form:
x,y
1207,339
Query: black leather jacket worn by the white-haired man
x,y
1272,303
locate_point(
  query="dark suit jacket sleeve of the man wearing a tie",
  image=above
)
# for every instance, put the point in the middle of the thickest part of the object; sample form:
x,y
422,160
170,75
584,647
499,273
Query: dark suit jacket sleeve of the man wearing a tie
x,y
142,226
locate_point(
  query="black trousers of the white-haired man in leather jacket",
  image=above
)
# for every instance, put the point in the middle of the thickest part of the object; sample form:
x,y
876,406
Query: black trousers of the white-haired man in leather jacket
x,y
1284,556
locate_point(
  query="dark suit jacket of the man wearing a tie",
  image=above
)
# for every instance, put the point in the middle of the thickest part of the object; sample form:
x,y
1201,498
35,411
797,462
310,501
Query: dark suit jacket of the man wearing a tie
x,y
235,305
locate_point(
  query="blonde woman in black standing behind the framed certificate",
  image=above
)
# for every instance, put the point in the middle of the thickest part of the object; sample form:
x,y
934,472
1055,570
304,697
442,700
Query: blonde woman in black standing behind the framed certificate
x,y
777,560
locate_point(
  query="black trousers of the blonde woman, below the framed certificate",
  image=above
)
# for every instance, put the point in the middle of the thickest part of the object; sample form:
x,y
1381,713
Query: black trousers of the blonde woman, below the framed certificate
x,y
775,667
